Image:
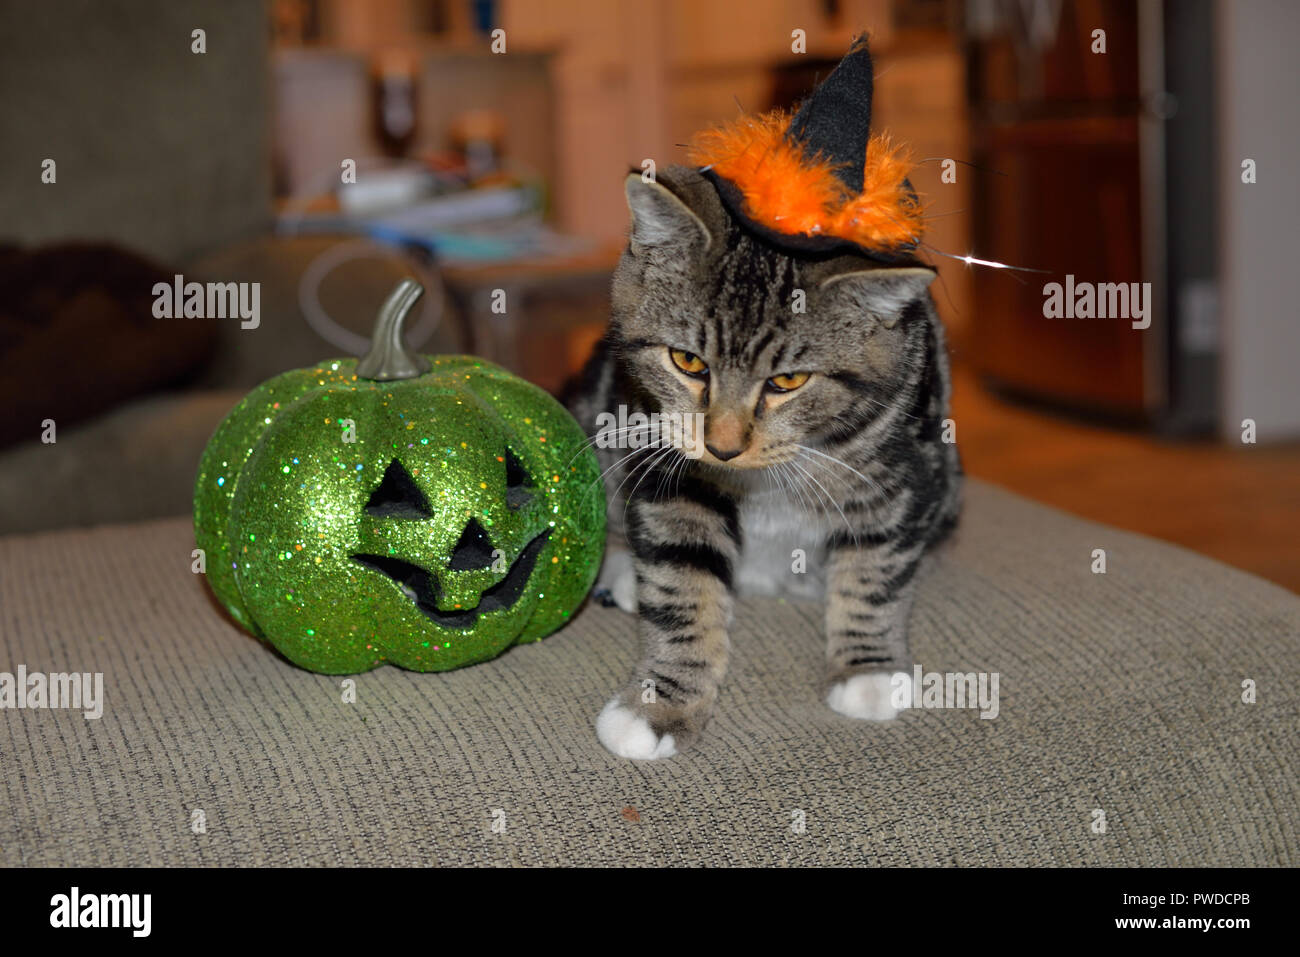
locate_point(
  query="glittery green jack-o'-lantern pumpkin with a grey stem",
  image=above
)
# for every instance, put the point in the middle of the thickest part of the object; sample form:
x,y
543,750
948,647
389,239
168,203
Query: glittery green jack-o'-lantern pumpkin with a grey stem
x,y
419,512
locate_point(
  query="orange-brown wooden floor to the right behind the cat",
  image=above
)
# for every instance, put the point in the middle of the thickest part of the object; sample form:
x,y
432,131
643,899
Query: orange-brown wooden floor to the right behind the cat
x,y
1240,505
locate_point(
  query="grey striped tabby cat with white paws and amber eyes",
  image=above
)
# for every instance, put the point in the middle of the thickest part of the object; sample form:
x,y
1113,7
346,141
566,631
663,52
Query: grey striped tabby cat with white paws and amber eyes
x,y
822,431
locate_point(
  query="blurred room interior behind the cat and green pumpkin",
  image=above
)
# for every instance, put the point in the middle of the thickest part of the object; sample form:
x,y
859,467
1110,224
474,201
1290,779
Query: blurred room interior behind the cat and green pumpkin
x,y
324,149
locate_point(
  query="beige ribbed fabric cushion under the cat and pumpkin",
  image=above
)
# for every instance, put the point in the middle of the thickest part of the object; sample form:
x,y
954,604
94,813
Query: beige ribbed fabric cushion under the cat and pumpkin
x,y
1120,692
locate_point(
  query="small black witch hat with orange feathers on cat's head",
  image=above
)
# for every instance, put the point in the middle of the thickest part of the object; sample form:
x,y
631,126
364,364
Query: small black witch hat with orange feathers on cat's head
x,y
818,181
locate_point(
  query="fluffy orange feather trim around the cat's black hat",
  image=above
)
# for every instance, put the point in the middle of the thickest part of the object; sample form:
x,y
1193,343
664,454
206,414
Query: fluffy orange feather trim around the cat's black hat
x,y
794,194
